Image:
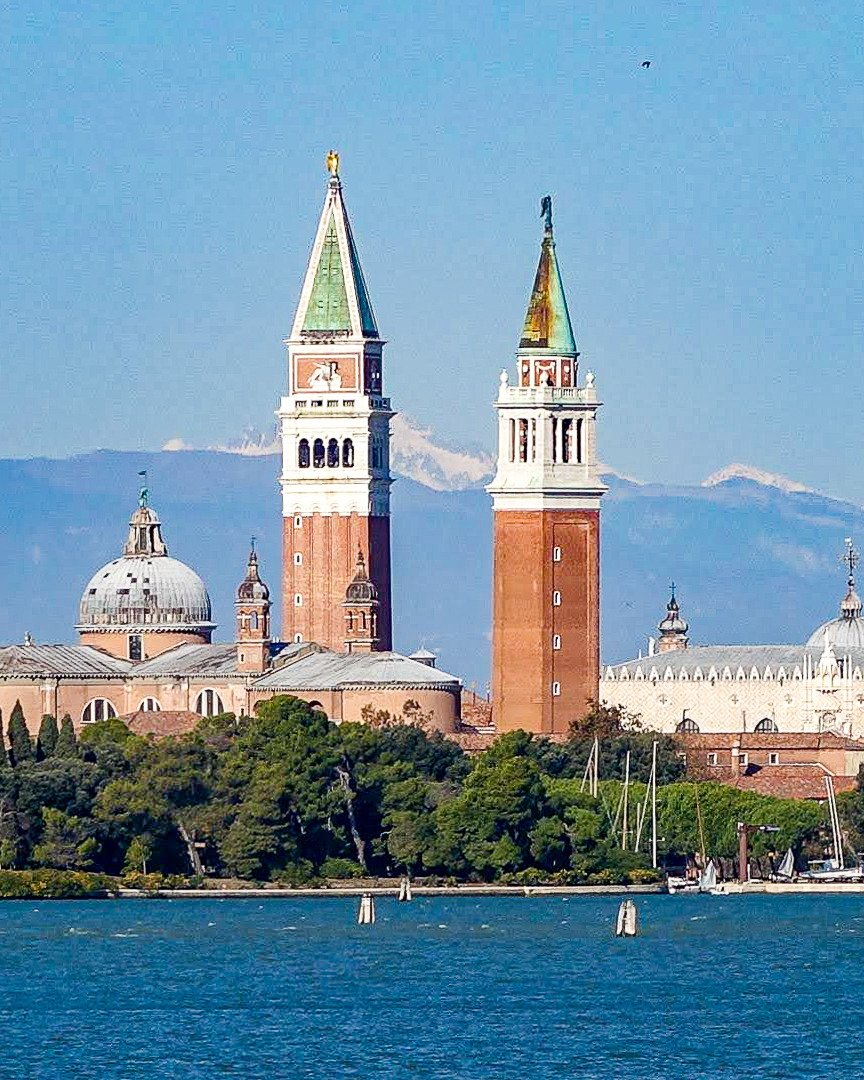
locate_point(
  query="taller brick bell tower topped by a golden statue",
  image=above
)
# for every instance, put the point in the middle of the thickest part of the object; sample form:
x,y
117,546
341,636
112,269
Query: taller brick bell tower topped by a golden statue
x,y
335,426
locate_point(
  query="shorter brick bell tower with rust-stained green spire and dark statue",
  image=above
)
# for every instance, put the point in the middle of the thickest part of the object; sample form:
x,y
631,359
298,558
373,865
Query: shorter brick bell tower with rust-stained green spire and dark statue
x,y
546,499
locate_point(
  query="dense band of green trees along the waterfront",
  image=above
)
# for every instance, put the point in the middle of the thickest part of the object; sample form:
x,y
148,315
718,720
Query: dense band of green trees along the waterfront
x,y
289,796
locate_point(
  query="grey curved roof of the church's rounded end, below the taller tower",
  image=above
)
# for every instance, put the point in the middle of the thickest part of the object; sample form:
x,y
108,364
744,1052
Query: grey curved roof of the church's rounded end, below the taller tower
x,y
333,671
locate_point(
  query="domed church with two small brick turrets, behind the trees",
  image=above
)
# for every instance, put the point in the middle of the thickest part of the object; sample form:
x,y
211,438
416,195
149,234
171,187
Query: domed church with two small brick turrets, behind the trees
x,y
145,653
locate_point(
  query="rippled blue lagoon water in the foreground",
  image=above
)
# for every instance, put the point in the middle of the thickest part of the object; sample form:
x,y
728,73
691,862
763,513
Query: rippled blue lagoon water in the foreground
x,y
516,988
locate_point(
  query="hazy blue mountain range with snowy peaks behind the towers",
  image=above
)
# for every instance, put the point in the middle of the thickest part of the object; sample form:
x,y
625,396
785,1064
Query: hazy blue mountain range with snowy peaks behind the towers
x,y
754,557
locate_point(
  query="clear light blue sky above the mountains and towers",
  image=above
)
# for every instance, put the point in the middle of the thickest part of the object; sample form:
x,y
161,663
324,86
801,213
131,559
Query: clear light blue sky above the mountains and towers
x,y
161,175
